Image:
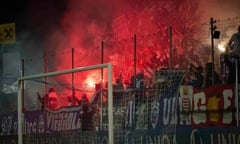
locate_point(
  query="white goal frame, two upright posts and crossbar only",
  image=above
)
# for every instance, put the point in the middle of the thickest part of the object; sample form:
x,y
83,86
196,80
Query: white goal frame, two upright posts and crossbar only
x,y
69,71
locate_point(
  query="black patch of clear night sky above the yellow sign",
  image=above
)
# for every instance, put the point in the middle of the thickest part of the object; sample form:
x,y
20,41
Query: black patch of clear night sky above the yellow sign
x,y
31,16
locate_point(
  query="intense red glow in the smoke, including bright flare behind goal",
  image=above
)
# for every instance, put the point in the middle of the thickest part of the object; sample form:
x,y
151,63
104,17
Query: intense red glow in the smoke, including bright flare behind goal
x,y
86,24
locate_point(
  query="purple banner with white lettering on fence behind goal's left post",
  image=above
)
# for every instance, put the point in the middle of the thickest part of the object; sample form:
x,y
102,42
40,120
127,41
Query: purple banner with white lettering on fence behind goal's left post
x,y
35,122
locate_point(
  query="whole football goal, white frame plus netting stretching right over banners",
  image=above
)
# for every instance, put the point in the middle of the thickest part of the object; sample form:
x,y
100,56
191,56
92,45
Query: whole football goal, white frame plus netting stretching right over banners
x,y
85,107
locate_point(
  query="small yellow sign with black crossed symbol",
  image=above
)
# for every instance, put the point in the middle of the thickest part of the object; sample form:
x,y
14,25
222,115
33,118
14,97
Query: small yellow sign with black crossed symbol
x,y
7,33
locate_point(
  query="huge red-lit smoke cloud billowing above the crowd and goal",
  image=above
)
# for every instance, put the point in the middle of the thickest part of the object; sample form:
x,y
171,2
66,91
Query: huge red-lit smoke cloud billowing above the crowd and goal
x,y
83,25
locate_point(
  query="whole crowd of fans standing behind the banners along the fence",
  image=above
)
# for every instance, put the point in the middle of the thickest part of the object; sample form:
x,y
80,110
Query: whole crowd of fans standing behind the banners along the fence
x,y
196,75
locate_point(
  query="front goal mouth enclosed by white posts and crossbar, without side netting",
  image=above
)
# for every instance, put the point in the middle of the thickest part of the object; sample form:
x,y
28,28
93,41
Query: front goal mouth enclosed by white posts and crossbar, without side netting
x,y
66,106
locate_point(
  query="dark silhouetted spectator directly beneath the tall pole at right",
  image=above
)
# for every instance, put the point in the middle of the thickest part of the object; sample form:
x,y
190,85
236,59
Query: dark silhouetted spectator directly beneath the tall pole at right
x,y
209,77
